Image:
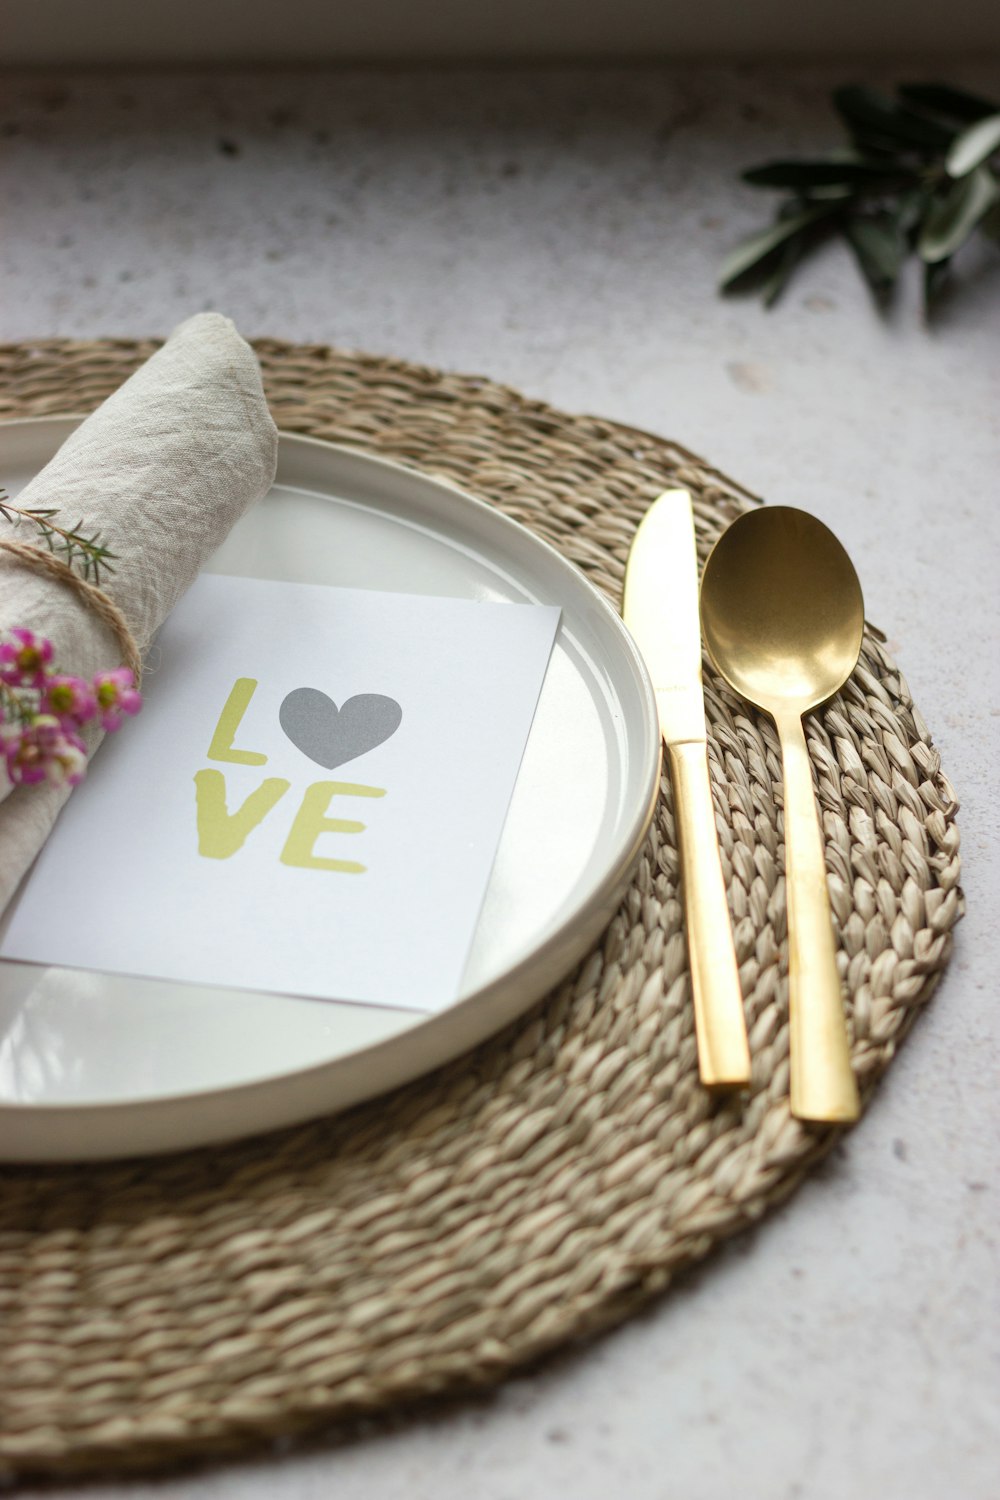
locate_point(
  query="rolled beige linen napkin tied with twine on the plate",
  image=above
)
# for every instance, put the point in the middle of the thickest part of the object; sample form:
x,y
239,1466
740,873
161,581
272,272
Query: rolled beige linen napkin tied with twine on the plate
x,y
161,472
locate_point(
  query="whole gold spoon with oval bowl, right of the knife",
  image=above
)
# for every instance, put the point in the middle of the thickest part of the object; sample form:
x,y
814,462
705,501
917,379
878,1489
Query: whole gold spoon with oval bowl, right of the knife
x,y
783,619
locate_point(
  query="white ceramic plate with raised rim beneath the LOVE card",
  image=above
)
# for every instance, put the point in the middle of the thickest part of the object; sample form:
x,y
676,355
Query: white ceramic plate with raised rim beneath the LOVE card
x,y
104,1066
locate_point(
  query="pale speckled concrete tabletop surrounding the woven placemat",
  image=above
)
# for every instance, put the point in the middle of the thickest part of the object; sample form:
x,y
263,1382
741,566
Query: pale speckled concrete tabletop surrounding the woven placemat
x,y
561,232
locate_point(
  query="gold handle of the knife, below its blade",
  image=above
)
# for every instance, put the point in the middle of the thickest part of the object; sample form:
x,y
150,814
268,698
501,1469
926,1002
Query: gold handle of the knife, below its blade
x,y
719,1004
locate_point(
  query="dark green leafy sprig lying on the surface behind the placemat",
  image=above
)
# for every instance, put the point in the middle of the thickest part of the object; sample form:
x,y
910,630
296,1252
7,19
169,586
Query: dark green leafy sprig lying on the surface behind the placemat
x,y
920,176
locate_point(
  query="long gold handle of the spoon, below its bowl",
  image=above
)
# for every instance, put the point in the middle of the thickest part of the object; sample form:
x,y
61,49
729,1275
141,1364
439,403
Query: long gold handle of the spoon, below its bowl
x,y
824,1087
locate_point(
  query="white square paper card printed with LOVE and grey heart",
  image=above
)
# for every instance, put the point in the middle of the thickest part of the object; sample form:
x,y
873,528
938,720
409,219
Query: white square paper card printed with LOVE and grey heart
x,y
310,803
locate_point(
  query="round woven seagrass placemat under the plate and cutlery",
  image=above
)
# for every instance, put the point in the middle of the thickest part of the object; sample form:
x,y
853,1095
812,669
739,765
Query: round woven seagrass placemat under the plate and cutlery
x,y
554,1180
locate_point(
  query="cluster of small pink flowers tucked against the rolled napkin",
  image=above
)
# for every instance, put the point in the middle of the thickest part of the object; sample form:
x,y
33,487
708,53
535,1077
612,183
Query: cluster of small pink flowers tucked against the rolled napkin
x,y
43,710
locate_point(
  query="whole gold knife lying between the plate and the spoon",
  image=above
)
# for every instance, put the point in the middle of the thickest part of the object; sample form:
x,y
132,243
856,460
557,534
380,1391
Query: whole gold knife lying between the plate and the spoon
x,y
662,613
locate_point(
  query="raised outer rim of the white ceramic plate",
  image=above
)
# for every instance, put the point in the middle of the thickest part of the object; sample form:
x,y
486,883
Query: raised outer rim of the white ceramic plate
x,y
546,955
